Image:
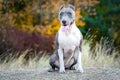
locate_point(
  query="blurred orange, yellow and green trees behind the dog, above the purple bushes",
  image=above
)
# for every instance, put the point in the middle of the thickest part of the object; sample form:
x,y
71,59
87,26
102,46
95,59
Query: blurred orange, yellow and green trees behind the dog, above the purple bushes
x,y
41,16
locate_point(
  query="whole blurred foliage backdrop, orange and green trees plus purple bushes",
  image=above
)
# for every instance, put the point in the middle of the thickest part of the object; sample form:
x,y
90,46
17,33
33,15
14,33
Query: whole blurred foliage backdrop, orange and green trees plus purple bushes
x,y
32,24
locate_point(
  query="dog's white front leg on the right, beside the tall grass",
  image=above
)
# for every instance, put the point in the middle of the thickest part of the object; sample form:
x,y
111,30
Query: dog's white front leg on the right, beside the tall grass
x,y
79,65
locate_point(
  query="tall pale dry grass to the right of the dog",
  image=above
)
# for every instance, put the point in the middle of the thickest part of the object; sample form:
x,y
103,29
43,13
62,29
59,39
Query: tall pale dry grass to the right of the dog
x,y
102,55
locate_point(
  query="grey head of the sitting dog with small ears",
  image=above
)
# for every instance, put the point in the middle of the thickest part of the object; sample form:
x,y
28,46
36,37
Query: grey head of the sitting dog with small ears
x,y
66,15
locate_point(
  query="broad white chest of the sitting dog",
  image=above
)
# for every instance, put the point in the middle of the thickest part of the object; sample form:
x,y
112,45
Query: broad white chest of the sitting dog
x,y
68,41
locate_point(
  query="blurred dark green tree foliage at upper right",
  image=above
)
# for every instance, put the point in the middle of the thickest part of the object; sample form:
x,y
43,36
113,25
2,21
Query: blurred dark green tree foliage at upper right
x,y
103,19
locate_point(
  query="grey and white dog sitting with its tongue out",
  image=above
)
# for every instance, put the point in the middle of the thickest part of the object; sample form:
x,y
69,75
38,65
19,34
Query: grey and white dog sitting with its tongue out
x,y
68,42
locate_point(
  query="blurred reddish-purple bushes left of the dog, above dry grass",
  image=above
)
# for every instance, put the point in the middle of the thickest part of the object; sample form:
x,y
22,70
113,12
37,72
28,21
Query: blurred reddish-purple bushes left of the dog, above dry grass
x,y
18,40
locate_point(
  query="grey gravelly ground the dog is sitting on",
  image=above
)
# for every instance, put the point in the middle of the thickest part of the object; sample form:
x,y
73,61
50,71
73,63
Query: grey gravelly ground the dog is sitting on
x,y
42,74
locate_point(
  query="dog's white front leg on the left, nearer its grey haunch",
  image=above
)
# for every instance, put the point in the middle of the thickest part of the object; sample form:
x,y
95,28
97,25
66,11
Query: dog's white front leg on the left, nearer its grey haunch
x,y
61,61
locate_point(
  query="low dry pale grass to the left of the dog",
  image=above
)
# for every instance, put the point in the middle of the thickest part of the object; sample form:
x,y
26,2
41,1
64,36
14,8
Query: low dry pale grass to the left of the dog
x,y
21,62
